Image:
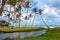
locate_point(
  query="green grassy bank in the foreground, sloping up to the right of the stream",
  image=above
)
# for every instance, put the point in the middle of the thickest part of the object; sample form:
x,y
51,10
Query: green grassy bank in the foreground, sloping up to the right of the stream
x,y
54,34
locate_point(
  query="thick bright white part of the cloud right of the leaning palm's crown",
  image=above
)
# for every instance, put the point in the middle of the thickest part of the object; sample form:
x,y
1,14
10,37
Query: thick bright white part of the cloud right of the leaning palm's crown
x,y
51,11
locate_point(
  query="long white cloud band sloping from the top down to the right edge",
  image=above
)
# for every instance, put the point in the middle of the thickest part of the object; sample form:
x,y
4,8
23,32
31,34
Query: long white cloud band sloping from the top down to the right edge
x,y
47,9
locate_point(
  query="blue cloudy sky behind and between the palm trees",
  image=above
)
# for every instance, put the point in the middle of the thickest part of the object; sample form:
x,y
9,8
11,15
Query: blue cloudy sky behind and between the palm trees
x,y
50,13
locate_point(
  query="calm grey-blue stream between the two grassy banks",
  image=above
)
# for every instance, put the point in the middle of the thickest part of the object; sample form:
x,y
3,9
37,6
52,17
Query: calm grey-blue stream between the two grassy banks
x,y
21,34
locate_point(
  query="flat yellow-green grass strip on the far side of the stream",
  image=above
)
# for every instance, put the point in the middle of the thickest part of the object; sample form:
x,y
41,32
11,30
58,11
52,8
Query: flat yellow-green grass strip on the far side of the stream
x,y
19,29
